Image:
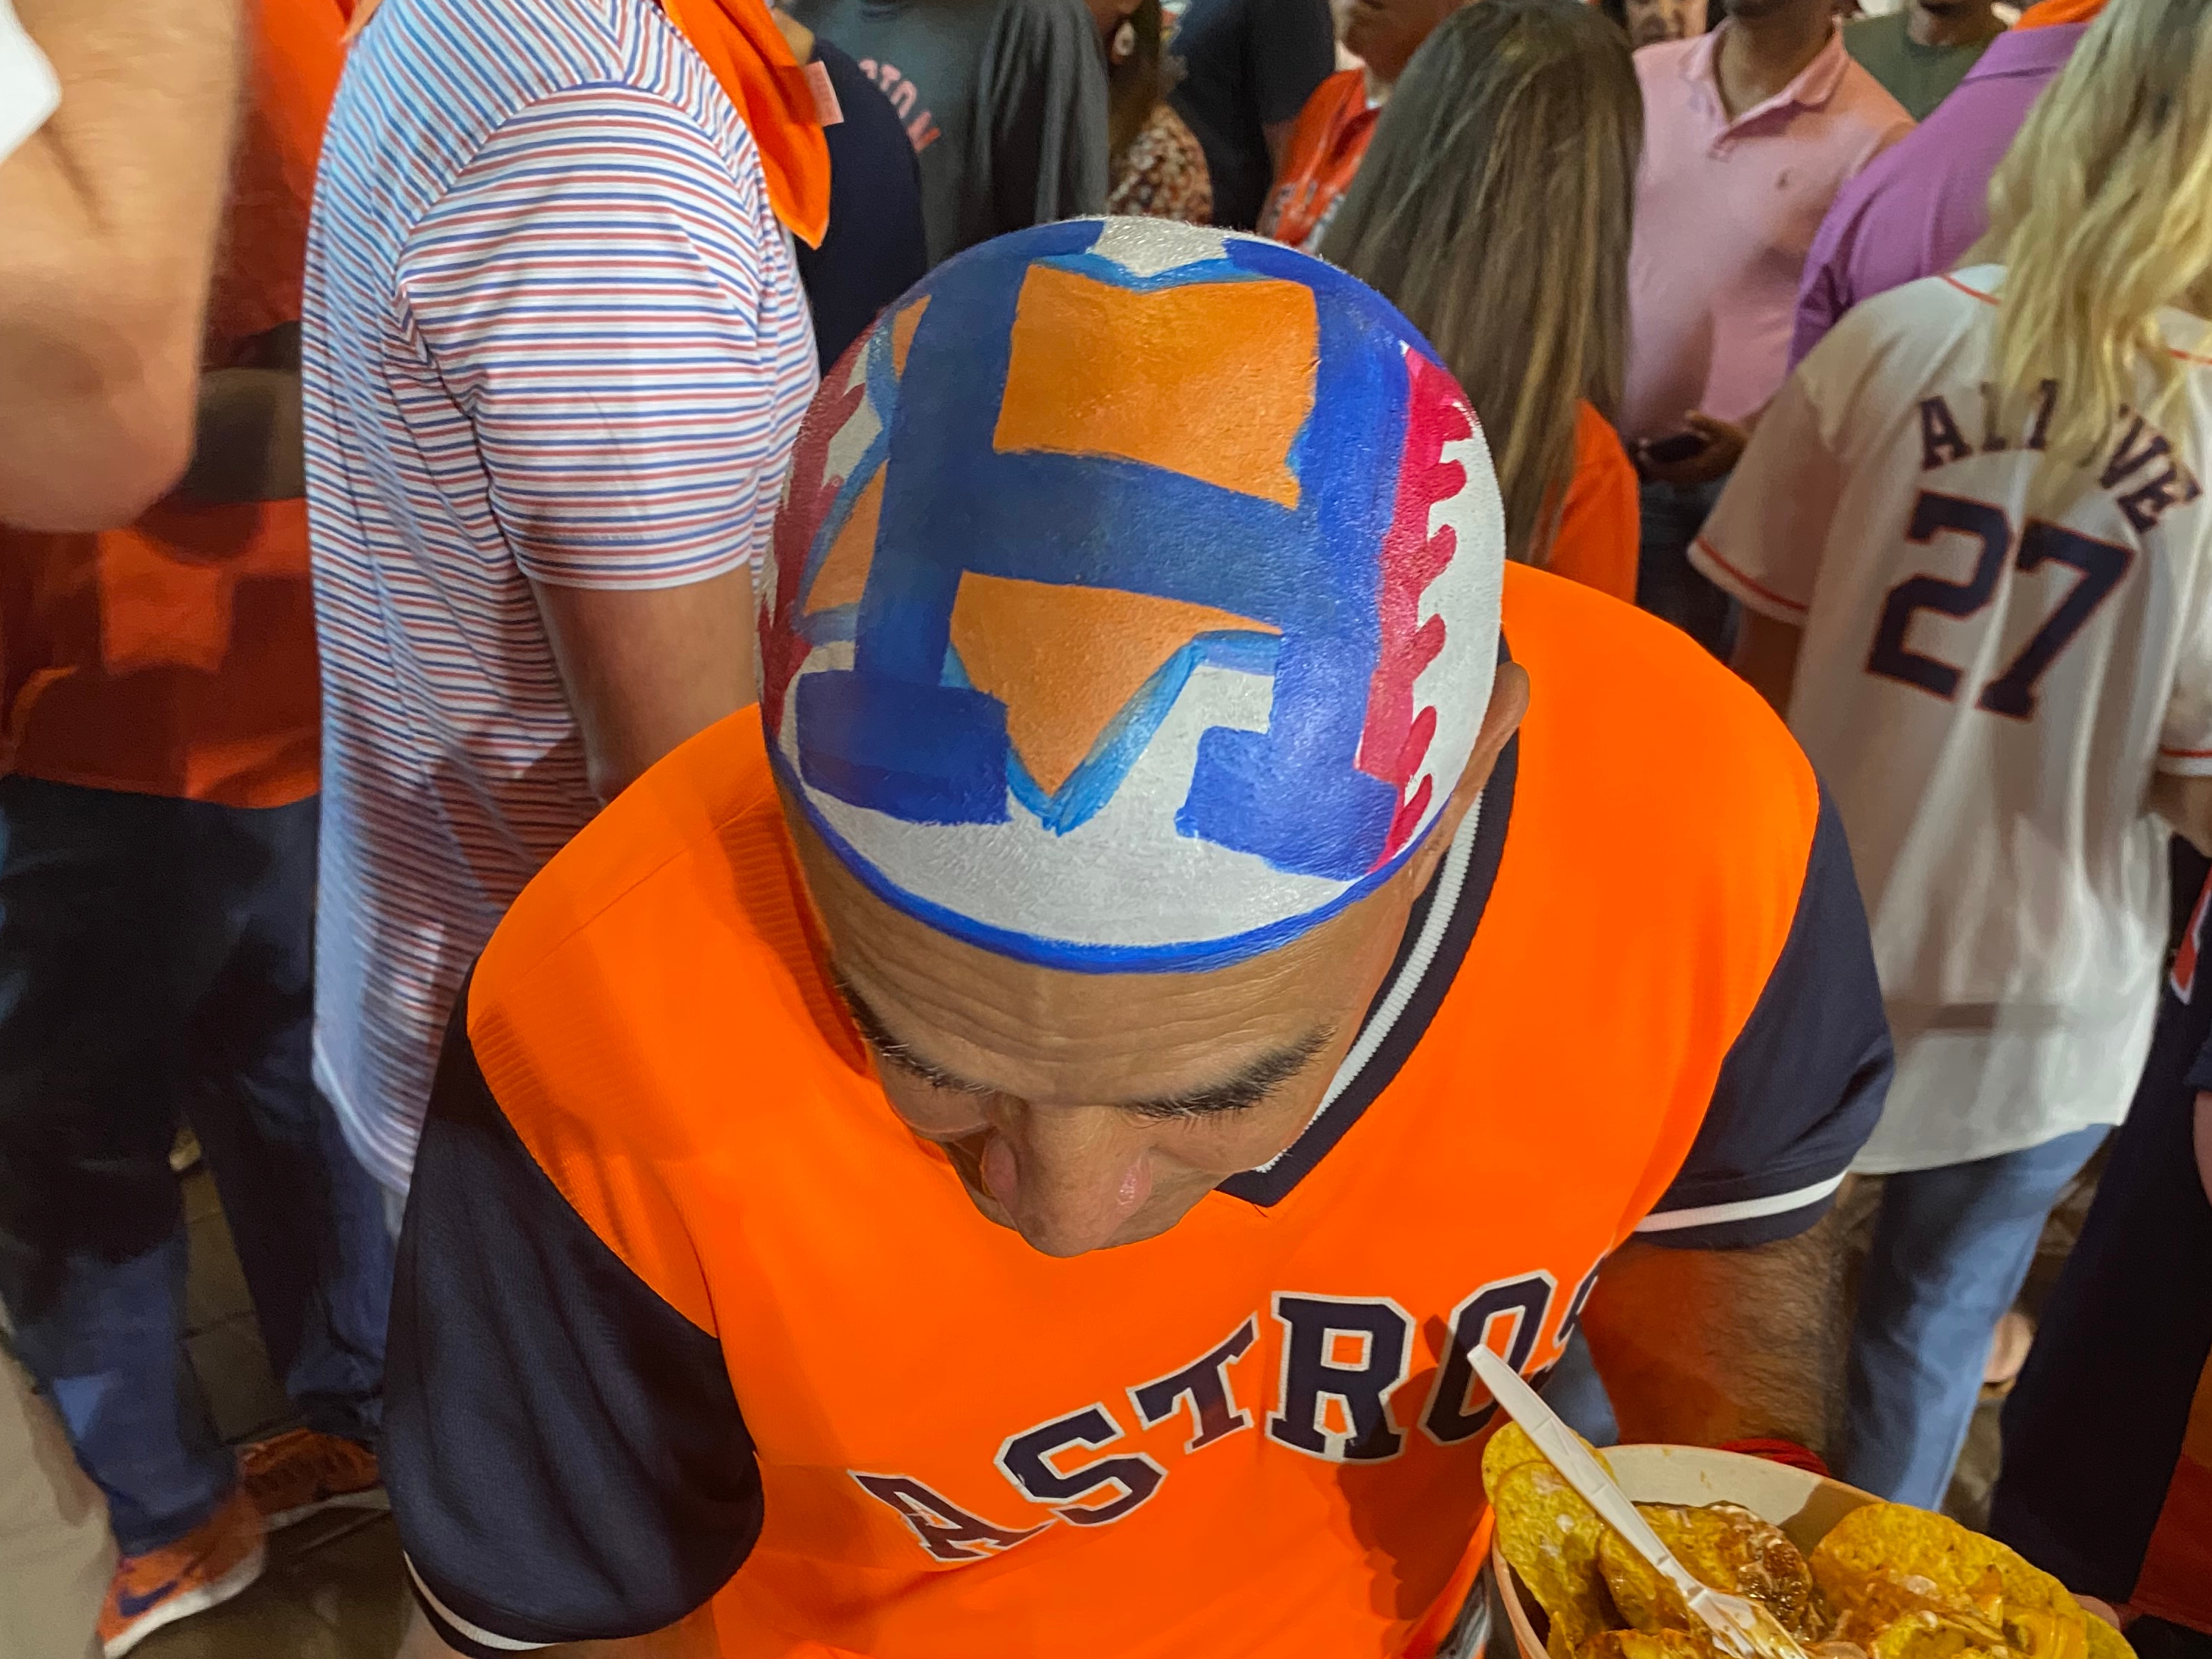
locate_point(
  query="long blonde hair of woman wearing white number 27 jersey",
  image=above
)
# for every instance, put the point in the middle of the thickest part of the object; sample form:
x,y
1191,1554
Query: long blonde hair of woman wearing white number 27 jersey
x,y
2103,218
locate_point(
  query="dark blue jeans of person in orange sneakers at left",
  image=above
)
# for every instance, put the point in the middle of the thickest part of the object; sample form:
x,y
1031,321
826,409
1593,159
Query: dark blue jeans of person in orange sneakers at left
x,y
156,968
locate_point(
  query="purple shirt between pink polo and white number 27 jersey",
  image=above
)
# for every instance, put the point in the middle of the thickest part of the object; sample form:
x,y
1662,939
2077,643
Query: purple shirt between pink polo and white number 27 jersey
x,y
1926,202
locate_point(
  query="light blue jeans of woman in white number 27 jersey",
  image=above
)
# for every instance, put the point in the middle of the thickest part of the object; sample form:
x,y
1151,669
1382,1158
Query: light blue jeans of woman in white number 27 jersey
x,y
1952,1249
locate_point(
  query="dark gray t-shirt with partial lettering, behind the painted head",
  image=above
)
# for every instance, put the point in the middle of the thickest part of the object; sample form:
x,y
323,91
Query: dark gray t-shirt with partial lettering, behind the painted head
x,y
1005,103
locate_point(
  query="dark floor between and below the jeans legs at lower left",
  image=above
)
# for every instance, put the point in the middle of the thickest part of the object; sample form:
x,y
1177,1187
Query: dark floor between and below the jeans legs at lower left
x,y
335,1583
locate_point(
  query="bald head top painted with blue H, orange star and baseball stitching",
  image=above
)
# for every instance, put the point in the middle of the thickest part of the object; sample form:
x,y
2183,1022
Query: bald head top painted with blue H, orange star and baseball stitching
x,y
1134,598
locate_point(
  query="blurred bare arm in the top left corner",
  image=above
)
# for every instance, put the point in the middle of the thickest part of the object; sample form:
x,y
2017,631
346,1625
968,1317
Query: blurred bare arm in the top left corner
x,y
112,211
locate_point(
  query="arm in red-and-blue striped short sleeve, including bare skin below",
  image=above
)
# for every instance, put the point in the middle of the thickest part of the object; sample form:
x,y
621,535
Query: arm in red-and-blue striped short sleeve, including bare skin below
x,y
636,470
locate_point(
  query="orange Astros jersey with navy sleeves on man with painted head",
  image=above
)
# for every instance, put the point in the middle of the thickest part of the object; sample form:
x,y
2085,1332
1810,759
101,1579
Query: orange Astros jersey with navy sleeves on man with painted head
x,y
685,1313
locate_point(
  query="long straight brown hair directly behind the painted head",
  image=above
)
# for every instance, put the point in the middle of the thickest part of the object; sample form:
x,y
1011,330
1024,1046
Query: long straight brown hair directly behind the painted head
x,y
1494,211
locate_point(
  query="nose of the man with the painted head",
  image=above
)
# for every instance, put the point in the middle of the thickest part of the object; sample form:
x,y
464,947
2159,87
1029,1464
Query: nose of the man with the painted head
x,y
1070,1178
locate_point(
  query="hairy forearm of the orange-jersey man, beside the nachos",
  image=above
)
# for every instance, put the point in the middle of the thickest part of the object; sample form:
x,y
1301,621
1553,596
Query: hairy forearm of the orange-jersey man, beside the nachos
x,y
1711,1346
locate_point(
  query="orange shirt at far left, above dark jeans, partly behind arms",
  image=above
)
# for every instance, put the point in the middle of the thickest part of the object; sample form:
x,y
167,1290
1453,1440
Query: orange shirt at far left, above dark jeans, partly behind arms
x,y
178,656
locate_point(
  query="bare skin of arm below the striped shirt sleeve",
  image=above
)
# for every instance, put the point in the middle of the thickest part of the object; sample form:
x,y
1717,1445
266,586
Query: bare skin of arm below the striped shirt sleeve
x,y
649,669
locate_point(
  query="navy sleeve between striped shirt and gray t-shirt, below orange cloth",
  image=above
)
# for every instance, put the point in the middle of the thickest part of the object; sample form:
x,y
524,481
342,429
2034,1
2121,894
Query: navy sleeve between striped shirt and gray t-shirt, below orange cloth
x,y
875,247
